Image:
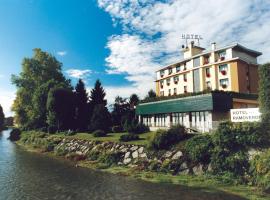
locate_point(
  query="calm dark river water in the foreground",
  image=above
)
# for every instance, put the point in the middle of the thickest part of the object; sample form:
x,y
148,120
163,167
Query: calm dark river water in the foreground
x,y
25,175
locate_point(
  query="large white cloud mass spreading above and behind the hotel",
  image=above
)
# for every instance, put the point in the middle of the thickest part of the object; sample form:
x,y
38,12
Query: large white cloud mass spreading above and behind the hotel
x,y
153,29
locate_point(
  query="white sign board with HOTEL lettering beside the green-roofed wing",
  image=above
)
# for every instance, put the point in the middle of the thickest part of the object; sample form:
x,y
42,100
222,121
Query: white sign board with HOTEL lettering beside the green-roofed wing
x,y
245,115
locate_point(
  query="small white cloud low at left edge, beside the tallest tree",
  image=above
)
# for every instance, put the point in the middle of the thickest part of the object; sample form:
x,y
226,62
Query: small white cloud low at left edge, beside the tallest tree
x,y
6,101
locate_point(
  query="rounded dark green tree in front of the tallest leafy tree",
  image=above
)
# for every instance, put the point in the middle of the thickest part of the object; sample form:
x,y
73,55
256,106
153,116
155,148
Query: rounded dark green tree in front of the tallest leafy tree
x,y
61,109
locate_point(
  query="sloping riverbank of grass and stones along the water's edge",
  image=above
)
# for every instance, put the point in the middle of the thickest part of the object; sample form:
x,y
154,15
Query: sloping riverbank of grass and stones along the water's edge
x,y
84,154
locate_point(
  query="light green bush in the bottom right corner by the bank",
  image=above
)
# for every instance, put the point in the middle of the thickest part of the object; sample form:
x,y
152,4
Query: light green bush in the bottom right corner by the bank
x,y
260,170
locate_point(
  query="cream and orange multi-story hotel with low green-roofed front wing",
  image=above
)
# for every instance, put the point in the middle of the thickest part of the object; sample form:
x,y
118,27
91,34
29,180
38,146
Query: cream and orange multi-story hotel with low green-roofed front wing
x,y
230,72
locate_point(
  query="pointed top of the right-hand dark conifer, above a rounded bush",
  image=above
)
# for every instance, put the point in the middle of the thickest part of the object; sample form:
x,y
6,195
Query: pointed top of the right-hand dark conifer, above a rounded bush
x,y
97,95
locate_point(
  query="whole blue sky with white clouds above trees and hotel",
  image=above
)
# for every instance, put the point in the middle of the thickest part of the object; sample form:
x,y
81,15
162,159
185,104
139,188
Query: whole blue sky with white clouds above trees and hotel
x,y
122,42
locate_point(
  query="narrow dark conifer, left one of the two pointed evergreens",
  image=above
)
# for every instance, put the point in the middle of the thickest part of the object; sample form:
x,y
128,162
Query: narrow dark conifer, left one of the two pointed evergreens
x,y
83,112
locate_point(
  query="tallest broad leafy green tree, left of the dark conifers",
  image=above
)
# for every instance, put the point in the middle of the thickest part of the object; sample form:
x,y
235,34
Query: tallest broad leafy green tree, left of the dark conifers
x,y
39,74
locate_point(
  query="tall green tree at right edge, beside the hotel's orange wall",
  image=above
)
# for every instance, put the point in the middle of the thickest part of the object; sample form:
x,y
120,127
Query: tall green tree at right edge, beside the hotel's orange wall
x,y
264,94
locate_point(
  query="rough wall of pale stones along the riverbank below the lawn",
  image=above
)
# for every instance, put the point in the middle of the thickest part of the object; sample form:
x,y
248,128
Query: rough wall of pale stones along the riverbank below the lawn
x,y
129,155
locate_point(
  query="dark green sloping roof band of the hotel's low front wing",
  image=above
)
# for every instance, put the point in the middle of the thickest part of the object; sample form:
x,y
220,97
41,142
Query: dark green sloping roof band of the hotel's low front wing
x,y
204,102
